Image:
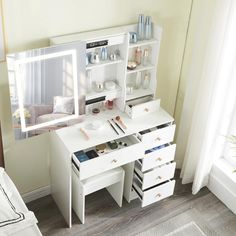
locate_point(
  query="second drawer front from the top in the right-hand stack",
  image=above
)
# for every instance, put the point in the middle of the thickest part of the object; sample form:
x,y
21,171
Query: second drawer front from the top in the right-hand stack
x,y
158,157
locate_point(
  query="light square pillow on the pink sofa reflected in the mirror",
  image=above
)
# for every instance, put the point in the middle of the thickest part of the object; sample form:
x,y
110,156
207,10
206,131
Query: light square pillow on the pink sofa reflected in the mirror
x,y
63,105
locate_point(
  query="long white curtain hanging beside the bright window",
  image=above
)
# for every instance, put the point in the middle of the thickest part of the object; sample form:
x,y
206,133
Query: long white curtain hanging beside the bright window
x,y
210,92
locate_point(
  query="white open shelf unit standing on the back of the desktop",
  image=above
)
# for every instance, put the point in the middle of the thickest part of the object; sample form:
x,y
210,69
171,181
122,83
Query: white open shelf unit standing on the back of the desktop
x,y
118,38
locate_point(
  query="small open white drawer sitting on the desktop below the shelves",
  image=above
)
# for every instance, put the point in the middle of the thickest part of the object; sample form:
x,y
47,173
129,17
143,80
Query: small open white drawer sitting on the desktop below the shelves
x,y
145,108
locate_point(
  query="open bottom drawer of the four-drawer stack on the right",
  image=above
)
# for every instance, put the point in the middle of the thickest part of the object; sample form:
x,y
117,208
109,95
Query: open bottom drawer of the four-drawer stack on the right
x,y
154,194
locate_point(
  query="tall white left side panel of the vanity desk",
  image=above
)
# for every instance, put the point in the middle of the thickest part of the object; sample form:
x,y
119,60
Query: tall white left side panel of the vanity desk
x,y
60,172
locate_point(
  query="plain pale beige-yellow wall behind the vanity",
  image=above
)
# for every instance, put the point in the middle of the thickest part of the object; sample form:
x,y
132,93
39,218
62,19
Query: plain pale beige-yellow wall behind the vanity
x,y
29,24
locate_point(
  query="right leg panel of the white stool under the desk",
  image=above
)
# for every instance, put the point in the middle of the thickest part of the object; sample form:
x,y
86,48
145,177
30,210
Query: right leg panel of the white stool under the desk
x,y
116,190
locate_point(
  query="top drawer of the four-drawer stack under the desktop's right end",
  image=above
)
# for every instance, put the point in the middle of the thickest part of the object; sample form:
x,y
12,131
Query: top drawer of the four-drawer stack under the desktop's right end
x,y
157,136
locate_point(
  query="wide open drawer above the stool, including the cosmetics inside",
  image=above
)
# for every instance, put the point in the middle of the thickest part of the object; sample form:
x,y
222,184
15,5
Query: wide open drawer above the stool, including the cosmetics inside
x,y
93,161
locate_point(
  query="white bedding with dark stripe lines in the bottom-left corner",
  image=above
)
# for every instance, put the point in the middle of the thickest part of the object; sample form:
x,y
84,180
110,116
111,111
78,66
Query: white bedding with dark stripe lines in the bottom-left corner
x,y
14,215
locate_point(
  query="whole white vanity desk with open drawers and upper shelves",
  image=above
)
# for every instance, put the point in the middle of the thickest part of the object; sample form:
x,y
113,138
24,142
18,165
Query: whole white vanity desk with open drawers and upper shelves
x,y
148,157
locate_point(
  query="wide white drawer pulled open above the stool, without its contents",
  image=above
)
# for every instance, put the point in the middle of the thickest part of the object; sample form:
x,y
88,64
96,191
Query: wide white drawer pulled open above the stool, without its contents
x,y
110,160
